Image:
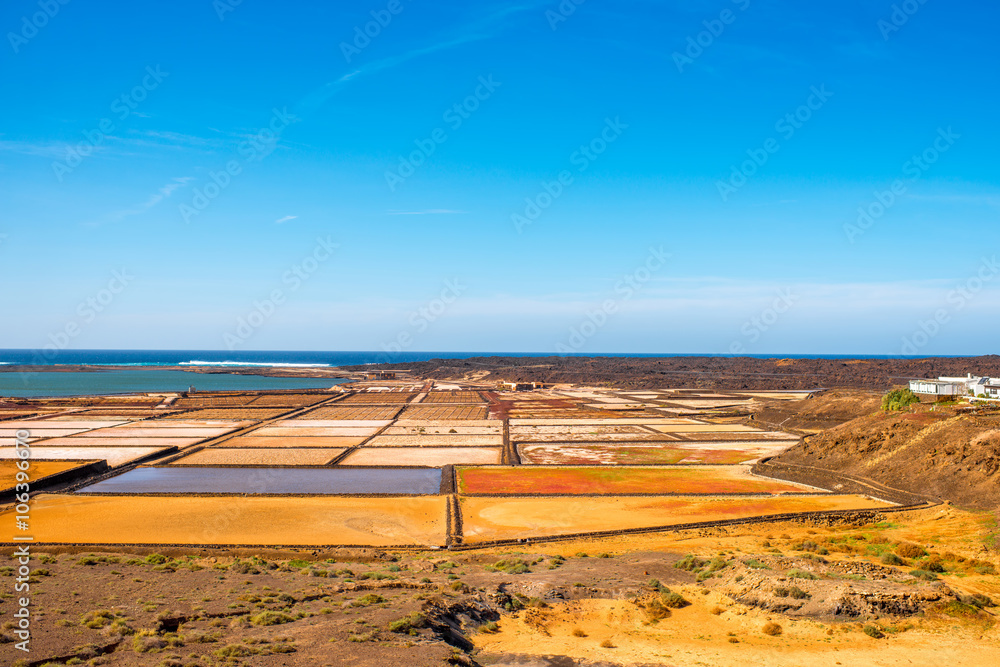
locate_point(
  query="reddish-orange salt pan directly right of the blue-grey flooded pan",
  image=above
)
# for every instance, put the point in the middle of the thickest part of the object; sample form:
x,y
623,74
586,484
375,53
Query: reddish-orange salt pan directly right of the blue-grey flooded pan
x,y
575,480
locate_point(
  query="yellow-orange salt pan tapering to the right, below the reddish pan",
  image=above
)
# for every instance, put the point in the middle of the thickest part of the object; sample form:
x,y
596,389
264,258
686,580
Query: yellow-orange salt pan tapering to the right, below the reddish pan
x,y
485,519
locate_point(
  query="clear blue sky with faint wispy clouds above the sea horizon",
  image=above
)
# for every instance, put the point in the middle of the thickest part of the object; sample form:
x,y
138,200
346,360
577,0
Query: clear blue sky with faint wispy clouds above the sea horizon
x,y
645,125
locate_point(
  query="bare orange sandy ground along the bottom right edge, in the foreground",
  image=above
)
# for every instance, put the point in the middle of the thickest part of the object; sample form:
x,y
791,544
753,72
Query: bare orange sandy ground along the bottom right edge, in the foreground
x,y
696,636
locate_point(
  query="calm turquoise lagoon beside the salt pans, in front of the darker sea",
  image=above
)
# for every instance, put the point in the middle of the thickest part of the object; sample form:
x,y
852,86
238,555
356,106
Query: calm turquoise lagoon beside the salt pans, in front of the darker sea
x,y
30,384
